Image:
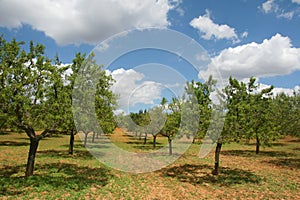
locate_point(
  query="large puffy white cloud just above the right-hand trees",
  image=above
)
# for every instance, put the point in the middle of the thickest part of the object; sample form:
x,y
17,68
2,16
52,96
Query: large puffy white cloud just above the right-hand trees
x,y
274,56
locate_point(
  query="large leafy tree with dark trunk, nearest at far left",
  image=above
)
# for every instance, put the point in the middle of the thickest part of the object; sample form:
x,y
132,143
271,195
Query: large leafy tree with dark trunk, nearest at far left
x,y
28,79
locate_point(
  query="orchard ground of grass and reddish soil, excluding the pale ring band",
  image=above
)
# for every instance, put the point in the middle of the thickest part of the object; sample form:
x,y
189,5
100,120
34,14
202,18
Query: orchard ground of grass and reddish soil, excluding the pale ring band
x,y
273,174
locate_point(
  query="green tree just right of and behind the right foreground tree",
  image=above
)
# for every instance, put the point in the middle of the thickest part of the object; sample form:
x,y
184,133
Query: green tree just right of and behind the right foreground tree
x,y
249,113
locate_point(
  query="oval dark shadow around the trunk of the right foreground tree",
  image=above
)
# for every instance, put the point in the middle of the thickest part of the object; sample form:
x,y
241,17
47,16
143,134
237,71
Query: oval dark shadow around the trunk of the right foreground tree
x,y
200,174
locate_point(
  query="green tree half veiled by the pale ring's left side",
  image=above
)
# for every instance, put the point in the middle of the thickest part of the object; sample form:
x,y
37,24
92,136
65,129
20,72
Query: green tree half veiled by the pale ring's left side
x,y
92,100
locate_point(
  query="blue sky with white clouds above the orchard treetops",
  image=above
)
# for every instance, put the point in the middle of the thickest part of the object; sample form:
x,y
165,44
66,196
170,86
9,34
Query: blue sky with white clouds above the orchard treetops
x,y
241,38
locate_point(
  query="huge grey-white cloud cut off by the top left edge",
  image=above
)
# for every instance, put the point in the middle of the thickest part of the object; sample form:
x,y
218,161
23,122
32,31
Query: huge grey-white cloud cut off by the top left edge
x,y
80,21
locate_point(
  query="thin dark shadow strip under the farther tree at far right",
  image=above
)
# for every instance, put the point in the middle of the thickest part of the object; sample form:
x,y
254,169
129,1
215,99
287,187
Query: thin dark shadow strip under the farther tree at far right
x,y
251,153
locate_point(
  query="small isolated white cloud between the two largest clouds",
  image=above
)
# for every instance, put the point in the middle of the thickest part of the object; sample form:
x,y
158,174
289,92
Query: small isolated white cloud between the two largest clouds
x,y
212,30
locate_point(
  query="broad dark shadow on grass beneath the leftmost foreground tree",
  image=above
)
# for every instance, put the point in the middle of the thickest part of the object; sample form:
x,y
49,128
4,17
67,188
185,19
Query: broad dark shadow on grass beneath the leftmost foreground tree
x,y
52,177
